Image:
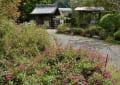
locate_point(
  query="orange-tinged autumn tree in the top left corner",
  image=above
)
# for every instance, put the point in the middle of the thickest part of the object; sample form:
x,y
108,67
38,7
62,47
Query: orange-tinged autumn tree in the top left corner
x,y
10,8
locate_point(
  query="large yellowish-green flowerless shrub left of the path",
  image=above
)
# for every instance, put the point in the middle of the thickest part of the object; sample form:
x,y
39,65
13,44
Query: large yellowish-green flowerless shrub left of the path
x,y
27,40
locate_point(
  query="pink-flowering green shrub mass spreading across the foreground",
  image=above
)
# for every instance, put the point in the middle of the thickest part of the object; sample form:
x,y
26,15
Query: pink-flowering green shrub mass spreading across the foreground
x,y
59,66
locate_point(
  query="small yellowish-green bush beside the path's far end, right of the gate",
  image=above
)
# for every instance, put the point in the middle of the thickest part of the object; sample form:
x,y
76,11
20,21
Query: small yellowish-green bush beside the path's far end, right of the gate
x,y
62,28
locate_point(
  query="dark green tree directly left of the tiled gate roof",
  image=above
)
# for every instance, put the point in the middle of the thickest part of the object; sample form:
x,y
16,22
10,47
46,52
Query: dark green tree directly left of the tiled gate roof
x,y
27,6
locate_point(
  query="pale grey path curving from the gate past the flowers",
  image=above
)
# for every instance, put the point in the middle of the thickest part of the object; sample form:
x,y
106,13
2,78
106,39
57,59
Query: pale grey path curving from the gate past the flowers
x,y
104,48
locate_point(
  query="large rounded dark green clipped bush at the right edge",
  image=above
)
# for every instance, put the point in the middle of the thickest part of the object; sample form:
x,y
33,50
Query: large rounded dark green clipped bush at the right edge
x,y
110,22
